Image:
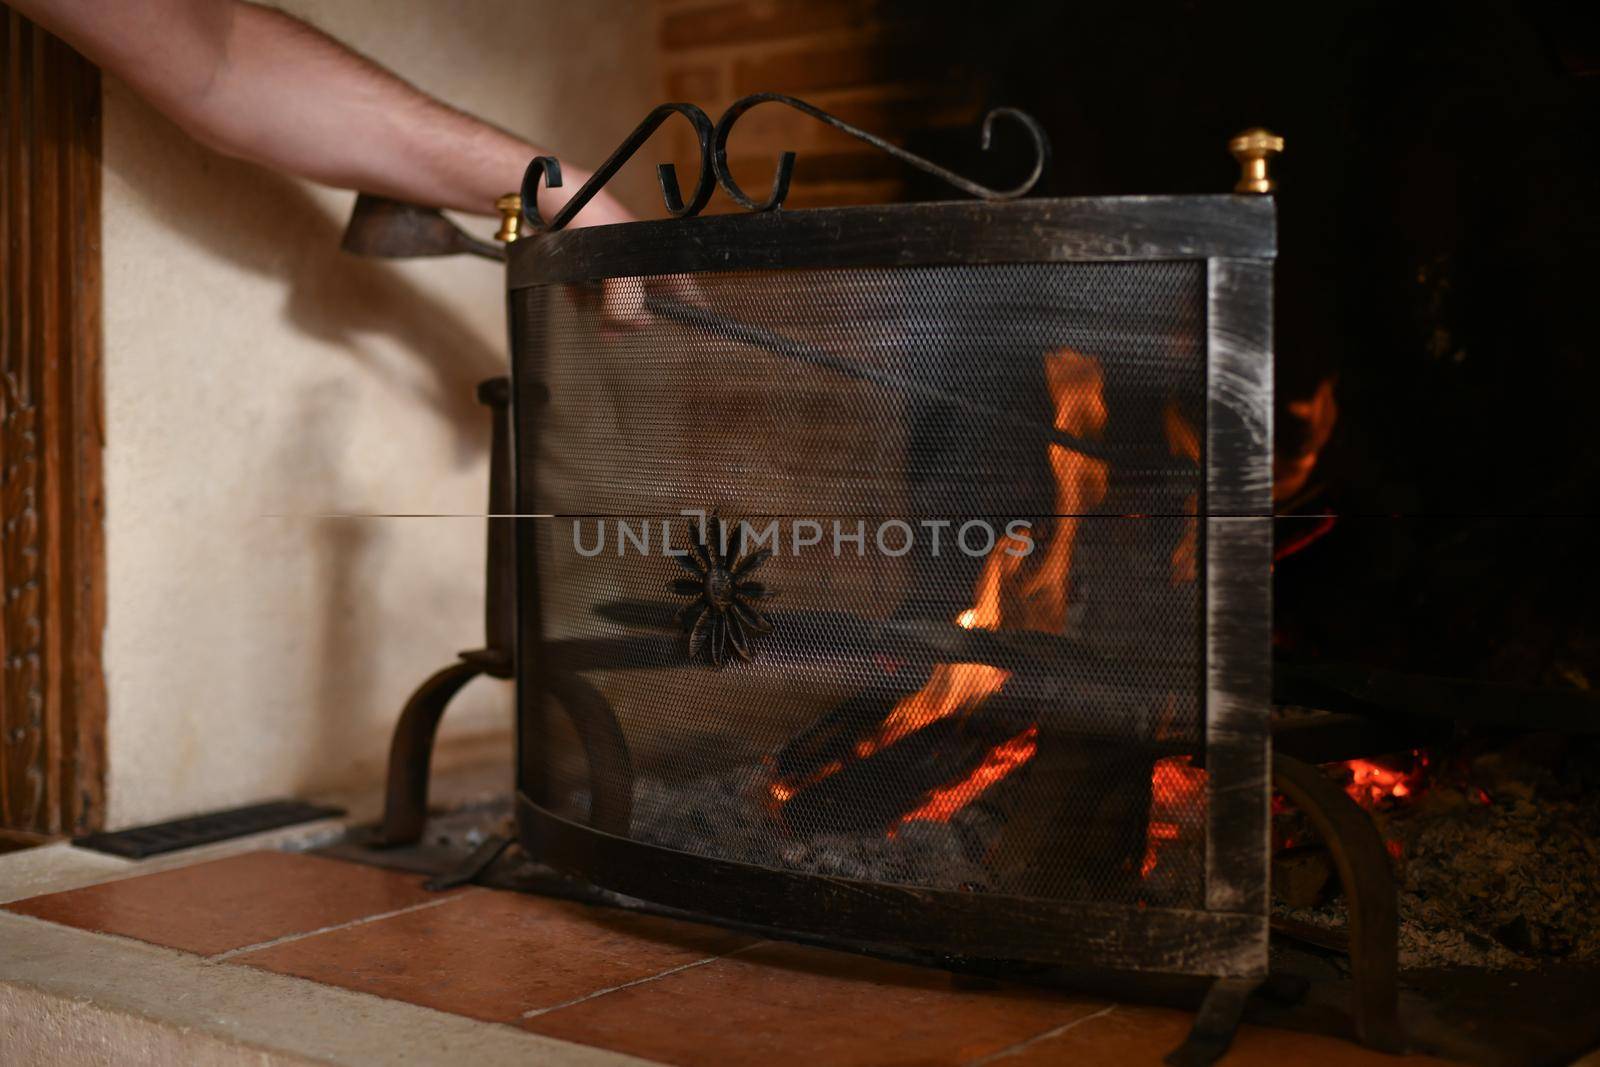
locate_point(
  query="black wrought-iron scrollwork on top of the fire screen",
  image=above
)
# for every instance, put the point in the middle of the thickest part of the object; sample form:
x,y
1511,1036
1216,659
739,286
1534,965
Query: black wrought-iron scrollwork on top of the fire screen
x,y
714,162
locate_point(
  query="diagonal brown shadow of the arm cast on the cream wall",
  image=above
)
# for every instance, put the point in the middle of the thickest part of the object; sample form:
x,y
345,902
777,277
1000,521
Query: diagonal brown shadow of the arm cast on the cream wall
x,y
274,228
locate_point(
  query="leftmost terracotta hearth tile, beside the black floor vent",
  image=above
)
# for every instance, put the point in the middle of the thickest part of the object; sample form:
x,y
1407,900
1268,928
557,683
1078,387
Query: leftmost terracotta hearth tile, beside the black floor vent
x,y
231,903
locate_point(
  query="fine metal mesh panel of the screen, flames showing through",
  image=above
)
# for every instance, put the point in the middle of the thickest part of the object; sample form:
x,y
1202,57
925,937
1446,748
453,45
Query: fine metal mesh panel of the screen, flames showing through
x,y
1015,708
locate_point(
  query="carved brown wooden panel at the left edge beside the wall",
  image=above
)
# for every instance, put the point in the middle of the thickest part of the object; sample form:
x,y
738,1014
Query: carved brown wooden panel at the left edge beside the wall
x,y
52,434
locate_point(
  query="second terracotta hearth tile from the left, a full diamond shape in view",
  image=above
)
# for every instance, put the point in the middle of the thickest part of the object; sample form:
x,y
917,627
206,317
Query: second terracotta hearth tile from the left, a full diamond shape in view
x,y
495,956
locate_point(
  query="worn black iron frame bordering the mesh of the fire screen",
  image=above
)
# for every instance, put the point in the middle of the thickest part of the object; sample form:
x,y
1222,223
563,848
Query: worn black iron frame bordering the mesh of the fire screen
x,y
1236,238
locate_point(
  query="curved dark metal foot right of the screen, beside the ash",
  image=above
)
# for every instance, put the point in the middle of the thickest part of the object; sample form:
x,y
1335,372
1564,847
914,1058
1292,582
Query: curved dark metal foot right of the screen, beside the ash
x,y
1369,885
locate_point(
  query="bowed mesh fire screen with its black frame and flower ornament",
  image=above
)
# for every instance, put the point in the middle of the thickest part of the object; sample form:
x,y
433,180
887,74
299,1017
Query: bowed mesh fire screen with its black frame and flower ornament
x,y
898,577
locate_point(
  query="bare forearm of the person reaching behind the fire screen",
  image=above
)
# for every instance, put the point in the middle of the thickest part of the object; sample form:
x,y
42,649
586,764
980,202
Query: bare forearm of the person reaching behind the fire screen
x,y
260,86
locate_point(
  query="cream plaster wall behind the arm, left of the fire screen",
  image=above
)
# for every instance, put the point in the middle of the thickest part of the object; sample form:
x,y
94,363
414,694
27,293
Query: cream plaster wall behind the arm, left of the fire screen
x,y
258,380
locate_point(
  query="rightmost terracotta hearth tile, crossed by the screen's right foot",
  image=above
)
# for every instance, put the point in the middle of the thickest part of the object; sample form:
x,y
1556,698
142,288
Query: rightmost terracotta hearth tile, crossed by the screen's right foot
x,y
1137,1036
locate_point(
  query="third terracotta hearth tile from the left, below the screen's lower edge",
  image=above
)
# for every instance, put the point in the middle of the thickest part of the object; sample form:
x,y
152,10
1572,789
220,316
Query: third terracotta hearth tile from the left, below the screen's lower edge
x,y
782,1004
